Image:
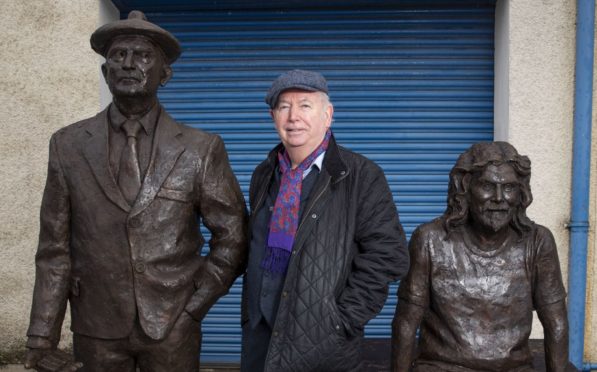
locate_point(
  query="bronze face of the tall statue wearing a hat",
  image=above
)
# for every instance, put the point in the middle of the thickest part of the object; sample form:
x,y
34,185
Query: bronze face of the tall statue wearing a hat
x,y
134,67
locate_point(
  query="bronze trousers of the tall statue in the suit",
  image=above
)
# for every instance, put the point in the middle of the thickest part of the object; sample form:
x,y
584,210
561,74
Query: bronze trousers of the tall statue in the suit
x,y
179,351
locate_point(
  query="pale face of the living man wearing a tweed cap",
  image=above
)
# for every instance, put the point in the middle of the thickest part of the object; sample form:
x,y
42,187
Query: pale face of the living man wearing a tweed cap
x,y
302,118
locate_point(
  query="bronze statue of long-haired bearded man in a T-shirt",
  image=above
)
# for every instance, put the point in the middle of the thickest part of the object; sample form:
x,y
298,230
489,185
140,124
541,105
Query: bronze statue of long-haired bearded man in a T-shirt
x,y
478,272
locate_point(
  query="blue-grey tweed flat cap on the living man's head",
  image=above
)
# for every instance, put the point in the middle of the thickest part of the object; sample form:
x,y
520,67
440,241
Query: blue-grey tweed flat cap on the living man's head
x,y
295,79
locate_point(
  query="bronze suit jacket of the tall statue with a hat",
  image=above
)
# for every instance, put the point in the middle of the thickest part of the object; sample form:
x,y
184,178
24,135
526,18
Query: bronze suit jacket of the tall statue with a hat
x,y
112,261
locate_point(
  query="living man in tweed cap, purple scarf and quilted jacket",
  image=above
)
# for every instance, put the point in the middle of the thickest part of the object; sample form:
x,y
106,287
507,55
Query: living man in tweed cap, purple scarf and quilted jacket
x,y
325,240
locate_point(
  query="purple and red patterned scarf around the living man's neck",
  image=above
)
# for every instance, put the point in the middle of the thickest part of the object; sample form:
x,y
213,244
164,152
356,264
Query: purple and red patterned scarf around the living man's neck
x,y
284,220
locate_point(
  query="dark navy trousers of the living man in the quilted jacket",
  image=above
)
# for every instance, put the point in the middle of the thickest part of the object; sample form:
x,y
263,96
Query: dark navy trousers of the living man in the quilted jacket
x,y
254,346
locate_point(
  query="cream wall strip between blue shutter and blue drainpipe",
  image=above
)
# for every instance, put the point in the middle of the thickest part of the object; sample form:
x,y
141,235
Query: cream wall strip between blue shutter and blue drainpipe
x,y
540,106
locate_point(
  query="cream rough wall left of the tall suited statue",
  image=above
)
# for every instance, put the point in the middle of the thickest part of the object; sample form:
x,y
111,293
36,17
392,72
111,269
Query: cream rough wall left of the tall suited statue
x,y
49,79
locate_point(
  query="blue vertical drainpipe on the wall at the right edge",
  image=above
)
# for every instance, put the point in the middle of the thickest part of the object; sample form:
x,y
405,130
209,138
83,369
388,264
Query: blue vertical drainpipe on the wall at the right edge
x,y
579,219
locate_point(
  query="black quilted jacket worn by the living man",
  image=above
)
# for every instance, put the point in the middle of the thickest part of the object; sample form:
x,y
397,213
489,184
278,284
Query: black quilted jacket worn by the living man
x,y
349,246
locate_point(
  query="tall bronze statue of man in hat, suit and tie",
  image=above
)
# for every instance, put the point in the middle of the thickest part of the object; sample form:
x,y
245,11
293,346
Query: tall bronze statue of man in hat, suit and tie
x,y
119,220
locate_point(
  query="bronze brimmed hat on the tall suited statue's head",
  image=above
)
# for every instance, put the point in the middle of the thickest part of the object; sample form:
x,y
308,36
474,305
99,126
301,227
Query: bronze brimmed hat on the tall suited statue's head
x,y
135,24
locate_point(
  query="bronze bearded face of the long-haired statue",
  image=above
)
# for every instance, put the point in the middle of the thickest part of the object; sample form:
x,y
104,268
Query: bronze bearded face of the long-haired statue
x,y
494,197
